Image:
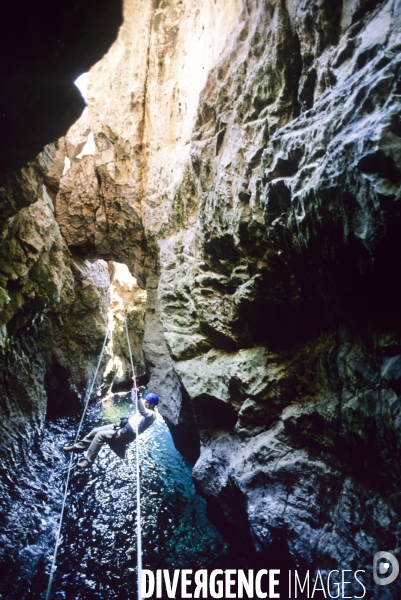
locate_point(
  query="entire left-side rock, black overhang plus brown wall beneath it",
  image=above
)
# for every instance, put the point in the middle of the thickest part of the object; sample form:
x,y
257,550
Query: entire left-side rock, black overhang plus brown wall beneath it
x,y
44,291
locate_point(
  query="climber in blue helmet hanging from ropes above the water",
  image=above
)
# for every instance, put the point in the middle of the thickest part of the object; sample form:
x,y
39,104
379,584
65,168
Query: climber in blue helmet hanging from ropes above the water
x,y
117,436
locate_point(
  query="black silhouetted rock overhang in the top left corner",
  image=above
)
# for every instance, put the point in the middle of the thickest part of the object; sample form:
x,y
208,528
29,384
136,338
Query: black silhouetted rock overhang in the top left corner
x,y
45,46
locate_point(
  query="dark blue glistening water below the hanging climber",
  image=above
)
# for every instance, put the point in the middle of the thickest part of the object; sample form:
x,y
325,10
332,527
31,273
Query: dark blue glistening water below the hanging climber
x,y
97,556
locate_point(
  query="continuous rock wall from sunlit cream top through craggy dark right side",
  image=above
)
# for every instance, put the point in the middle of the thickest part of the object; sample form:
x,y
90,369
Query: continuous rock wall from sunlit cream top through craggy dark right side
x,y
272,233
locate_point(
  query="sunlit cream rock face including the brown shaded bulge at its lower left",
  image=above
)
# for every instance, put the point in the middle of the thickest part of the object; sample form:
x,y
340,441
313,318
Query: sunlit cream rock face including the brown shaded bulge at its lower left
x,y
116,203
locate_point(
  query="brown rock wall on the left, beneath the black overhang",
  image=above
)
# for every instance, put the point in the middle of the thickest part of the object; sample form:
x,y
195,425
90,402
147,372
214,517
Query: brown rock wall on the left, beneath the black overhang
x,y
53,311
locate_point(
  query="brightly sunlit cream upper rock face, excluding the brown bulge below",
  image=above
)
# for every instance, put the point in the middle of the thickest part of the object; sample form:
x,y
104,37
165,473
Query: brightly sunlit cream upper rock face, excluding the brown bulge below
x,y
146,91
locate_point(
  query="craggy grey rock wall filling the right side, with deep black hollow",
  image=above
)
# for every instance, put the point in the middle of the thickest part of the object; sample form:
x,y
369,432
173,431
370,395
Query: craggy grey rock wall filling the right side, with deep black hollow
x,y
287,278
